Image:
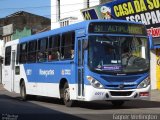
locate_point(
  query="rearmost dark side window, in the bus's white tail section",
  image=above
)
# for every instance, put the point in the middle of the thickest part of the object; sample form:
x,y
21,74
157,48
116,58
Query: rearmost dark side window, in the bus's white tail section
x,y
7,55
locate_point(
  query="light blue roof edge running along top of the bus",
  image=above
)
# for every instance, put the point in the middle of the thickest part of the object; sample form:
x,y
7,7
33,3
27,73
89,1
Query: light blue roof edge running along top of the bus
x,y
76,26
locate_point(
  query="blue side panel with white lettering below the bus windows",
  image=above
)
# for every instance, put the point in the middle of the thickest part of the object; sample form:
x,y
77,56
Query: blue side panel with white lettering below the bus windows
x,y
50,72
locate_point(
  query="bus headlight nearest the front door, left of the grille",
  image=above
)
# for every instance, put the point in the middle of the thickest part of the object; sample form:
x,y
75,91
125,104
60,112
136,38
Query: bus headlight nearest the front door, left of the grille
x,y
95,83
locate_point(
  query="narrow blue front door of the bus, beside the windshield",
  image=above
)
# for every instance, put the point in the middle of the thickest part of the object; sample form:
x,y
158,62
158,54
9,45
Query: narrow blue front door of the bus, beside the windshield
x,y
80,68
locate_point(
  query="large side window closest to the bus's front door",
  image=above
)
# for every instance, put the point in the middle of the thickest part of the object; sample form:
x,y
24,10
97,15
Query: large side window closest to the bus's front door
x,y
67,45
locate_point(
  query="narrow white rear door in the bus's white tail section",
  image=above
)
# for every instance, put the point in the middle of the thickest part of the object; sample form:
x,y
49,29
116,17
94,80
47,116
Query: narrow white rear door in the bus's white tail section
x,y
12,69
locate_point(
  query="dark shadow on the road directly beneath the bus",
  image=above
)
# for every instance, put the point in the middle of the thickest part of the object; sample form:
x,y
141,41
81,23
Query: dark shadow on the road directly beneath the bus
x,y
102,105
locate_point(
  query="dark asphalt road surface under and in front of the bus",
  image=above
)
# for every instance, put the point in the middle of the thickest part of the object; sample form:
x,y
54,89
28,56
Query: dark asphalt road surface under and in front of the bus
x,y
48,108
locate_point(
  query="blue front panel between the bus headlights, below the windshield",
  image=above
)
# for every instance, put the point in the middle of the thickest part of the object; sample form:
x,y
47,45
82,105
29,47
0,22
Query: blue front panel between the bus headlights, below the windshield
x,y
113,81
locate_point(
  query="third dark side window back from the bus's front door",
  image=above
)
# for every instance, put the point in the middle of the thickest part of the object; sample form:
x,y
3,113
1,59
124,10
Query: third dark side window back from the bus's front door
x,y
42,50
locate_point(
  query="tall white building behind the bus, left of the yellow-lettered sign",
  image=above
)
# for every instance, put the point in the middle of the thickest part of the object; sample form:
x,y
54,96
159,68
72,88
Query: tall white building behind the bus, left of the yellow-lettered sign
x,y
65,12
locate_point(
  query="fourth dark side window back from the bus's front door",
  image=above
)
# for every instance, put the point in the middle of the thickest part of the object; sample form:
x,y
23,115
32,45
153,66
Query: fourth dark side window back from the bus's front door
x,y
32,47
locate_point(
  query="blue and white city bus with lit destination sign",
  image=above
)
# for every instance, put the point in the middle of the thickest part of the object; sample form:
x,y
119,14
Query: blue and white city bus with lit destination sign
x,y
88,61
